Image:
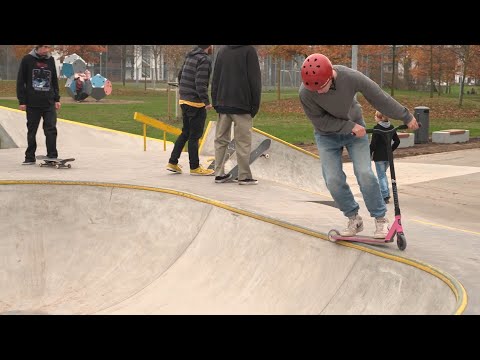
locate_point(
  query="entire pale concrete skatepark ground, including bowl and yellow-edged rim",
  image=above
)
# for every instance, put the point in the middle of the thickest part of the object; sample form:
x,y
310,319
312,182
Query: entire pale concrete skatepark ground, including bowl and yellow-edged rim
x,y
118,234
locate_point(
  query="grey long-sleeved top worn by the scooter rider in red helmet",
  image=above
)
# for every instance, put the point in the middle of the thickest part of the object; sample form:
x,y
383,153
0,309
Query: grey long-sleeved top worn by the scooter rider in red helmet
x,y
337,111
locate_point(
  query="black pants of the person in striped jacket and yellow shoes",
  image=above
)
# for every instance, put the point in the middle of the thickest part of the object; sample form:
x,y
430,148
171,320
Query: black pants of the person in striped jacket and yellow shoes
x,y
193,124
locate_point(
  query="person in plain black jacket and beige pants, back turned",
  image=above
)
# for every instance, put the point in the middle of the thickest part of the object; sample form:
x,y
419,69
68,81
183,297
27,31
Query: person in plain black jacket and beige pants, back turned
x,y
236,92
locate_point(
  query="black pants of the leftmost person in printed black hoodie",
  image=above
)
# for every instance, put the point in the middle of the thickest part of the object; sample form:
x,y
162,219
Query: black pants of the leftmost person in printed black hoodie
x,y
49,128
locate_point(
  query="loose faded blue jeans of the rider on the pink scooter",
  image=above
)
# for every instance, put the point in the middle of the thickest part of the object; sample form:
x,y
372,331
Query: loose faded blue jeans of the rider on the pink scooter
x,y
330,149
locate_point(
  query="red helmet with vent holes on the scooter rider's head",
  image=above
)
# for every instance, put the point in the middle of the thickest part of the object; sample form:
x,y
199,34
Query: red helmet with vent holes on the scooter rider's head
x,y
316,71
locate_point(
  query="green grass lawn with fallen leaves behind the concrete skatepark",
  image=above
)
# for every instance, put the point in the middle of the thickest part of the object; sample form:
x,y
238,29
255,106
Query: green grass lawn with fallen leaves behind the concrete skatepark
x,y
285,121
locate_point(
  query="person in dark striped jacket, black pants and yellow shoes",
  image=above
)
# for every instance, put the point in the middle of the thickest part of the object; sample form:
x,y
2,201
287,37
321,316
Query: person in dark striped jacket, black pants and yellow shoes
x,y
193,82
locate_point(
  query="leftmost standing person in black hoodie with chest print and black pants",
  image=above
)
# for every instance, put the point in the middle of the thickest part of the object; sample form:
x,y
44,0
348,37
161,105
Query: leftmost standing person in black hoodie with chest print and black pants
x,y
38,95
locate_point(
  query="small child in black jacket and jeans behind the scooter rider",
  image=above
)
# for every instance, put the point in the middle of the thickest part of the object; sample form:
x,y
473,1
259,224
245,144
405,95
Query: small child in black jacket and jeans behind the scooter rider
x,y
378,150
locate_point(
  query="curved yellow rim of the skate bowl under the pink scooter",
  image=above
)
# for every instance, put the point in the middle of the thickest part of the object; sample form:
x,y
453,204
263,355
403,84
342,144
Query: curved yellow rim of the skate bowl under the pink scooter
x,y
455,285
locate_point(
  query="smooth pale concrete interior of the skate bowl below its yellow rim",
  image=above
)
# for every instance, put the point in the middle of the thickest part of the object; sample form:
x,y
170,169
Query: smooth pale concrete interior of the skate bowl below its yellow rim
x,y
107,249
